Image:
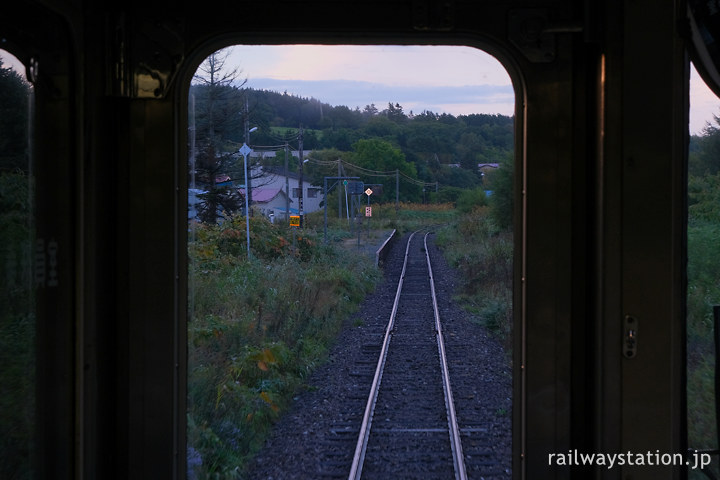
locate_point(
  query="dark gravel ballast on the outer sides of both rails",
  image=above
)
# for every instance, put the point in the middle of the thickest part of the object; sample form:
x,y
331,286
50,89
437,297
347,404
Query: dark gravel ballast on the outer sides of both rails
x,y
316,436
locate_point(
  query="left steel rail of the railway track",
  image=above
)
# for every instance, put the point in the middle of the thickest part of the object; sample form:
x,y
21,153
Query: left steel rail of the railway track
x,y
361,447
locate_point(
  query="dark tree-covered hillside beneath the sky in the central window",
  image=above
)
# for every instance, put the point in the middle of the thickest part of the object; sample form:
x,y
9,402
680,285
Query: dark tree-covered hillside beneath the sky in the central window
x,y
444,148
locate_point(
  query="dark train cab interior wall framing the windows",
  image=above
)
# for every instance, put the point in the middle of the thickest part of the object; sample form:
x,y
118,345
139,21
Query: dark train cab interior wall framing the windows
x,y
601,152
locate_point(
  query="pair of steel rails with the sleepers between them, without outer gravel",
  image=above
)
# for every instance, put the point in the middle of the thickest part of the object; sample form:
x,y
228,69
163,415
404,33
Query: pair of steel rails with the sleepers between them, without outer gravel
x,y
410,425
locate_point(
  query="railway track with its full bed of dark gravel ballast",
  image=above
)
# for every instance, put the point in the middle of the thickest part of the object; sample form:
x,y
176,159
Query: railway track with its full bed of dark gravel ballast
x,y
385,413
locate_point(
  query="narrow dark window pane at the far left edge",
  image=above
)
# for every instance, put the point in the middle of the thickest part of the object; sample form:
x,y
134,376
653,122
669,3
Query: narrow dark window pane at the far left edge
x,y
17,311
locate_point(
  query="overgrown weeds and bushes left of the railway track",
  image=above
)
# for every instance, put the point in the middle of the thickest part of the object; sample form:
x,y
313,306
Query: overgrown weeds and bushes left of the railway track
x,y
258,327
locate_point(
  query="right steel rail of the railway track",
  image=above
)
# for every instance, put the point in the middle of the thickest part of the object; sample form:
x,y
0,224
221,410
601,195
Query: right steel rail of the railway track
x,y
454,430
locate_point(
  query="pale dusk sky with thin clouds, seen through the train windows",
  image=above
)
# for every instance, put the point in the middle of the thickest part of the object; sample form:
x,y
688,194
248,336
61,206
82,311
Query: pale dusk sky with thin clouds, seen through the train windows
x,y
441,79
